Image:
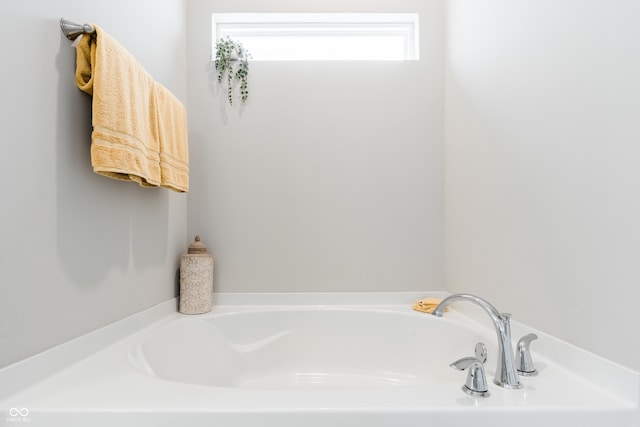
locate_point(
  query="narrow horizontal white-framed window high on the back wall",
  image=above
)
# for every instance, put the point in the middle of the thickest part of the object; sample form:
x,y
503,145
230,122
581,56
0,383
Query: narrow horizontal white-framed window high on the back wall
x,y
322,36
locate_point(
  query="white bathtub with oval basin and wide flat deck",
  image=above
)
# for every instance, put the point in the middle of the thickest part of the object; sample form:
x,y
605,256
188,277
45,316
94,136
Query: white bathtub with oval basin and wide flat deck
x,y
317,365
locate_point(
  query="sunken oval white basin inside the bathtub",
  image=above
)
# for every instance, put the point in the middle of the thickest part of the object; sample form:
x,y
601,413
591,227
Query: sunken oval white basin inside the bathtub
x,y
308,349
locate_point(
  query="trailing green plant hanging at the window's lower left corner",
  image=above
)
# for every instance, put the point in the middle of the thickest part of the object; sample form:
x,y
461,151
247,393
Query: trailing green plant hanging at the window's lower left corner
x,y
232,63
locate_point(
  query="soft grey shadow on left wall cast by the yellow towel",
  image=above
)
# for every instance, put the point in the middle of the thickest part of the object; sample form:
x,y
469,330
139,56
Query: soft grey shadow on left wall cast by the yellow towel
x,y
102,223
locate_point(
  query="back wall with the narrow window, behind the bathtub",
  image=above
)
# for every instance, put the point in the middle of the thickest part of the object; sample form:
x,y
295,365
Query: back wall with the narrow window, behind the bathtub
x,y
331,178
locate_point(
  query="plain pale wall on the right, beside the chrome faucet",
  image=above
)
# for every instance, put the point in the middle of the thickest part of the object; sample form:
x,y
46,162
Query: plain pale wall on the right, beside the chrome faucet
x,y
541,167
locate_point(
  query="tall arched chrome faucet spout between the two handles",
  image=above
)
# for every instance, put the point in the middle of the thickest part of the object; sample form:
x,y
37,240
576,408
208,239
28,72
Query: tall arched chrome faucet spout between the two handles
x,y
506,373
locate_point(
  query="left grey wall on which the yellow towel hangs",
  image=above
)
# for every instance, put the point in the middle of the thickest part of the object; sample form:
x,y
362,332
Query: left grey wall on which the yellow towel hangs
x,y
77,250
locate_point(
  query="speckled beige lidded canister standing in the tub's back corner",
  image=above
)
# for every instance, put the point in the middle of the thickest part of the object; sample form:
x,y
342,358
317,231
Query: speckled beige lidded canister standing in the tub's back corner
x,y
196,280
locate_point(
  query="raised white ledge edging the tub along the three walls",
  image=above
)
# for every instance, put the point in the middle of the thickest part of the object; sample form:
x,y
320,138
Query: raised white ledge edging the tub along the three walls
x,y
619,380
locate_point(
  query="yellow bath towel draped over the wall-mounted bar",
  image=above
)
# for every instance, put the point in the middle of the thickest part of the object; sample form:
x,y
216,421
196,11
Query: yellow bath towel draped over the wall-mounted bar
x,y
134,118
